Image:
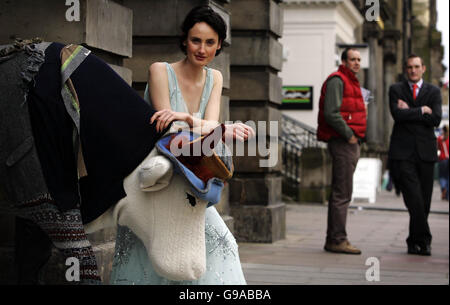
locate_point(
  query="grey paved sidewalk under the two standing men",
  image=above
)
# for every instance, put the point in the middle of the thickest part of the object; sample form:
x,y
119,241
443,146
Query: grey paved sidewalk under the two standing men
x,y
379,230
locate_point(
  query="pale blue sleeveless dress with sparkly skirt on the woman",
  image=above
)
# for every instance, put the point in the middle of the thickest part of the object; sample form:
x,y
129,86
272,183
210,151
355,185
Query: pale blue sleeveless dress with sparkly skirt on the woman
x,y
131,265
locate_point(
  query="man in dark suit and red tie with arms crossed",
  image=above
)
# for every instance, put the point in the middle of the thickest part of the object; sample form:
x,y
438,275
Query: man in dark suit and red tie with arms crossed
x,y
416,108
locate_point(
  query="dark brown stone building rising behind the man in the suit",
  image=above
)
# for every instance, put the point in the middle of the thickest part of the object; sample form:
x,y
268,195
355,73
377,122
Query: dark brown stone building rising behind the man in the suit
x,y
404,27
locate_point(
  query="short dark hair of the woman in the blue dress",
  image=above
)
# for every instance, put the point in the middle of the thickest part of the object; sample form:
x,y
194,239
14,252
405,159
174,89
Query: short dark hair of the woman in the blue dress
x,y
203,13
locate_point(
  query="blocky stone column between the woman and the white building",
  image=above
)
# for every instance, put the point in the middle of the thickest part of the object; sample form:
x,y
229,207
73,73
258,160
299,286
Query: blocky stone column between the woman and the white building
x,y
255,95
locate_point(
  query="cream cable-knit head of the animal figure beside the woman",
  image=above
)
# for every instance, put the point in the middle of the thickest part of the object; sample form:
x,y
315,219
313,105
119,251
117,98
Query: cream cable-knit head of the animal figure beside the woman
x,y
158,210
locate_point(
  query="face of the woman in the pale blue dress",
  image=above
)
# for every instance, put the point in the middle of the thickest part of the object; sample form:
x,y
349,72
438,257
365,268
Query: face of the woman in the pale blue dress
x,y
201,44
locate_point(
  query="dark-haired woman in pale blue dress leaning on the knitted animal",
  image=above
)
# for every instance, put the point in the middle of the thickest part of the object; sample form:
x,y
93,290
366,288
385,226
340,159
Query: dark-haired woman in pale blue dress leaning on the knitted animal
x,y
189,92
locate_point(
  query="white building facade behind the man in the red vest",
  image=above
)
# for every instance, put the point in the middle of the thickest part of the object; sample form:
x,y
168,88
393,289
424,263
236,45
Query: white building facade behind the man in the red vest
x,y
313,31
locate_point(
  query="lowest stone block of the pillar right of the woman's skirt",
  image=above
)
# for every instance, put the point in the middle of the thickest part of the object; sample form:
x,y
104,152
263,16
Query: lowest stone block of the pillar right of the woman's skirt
x,y
253,223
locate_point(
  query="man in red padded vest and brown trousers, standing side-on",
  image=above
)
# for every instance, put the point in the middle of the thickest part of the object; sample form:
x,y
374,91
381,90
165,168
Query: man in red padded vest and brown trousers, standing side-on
x,y
342,123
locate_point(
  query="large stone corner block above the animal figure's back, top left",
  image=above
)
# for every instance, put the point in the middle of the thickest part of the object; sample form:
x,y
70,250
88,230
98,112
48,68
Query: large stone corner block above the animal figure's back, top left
x,y
103,24
